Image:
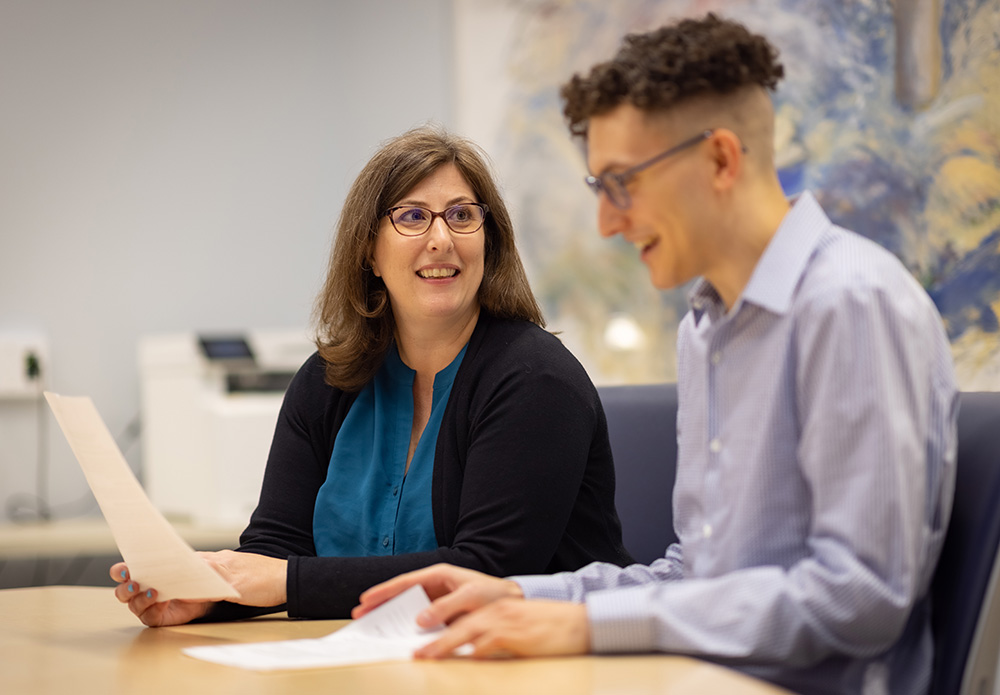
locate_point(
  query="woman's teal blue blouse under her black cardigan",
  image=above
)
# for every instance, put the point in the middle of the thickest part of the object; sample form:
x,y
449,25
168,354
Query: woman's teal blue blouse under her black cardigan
x,y
369,505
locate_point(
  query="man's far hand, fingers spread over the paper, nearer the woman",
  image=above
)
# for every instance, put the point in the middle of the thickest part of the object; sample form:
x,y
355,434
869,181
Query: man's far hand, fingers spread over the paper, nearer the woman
x,y
453,590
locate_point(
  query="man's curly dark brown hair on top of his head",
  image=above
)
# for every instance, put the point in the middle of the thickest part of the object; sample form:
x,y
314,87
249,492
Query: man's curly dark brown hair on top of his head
x,y
662,68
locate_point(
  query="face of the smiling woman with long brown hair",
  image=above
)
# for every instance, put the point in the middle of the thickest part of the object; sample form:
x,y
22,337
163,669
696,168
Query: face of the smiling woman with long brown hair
x,y
435,275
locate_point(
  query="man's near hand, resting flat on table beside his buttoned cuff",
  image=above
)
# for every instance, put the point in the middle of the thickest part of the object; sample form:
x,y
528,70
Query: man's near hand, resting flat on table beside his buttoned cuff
x,y
515,627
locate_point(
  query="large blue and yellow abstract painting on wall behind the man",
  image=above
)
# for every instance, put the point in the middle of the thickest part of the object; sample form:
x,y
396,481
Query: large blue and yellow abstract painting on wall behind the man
x,y
889,113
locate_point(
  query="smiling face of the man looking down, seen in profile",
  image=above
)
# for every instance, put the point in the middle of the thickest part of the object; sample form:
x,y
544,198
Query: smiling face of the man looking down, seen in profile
x,y
668,199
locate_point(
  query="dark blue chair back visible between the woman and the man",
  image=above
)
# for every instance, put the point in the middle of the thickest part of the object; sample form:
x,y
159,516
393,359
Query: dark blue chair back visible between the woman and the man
x,y
642,424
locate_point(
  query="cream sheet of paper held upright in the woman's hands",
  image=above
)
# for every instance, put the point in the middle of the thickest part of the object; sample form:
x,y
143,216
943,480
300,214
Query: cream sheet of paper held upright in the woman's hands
x,y
155,553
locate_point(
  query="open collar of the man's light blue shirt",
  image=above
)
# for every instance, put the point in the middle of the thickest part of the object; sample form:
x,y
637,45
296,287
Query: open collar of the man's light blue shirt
x,y
777,273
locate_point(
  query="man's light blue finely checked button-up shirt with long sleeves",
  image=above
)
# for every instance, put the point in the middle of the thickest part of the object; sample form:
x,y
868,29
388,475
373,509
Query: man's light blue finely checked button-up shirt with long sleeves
x,y
816,451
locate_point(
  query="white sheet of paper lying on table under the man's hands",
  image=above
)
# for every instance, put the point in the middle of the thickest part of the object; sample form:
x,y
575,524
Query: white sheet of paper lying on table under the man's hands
x,y
388,633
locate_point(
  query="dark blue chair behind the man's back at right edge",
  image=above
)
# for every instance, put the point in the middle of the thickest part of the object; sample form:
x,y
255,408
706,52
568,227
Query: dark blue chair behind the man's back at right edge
x,y
964,594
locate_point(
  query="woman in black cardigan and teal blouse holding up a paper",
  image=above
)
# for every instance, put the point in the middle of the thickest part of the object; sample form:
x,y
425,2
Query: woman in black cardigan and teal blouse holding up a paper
x,y
437,421
